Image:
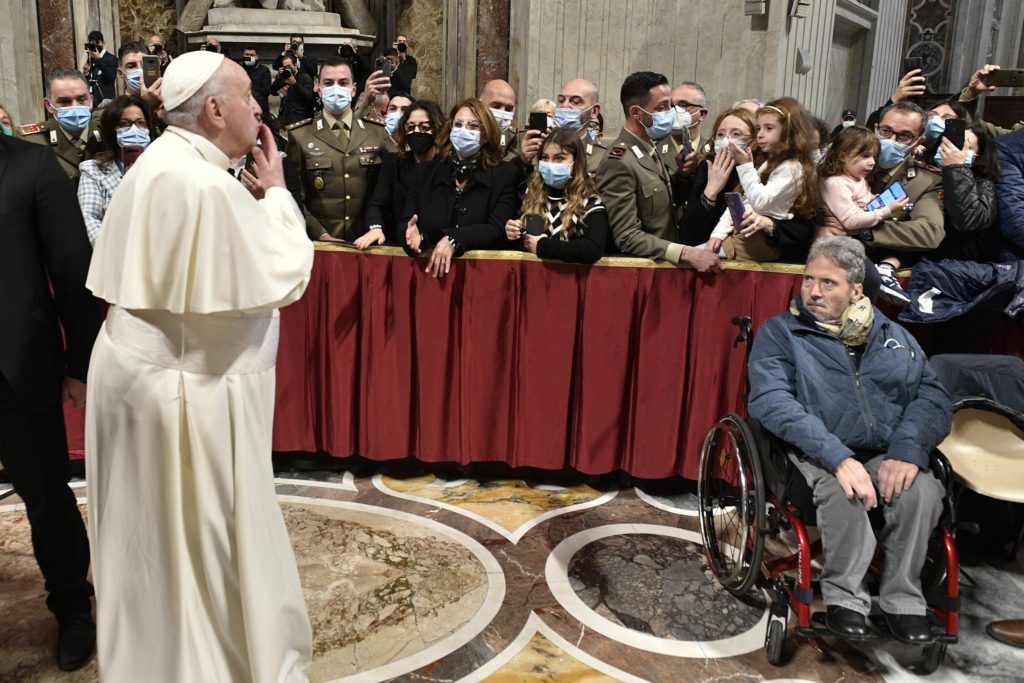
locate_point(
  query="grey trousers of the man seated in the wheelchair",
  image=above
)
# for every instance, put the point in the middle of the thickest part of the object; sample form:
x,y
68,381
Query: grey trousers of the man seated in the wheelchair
x,y
849,541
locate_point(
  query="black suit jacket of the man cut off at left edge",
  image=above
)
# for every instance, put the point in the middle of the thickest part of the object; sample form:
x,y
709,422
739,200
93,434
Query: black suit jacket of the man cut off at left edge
x,y
42,244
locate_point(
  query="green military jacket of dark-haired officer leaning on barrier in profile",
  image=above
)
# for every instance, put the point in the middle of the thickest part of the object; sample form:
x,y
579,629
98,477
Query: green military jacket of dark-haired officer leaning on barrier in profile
x,y
636,189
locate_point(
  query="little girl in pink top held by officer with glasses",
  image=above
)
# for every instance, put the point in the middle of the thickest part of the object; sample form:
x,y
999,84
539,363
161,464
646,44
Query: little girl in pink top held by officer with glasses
x,y
844,182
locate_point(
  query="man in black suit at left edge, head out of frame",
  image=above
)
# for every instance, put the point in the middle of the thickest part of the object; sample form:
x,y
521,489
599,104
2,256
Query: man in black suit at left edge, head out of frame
x,y
47,259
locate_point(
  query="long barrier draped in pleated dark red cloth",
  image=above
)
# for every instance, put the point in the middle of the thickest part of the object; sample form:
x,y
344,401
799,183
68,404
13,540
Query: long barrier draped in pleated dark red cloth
x,y
624,365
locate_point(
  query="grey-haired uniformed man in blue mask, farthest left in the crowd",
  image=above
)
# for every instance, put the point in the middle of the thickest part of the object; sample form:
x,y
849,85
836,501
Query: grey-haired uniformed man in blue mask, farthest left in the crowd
x,y
73,133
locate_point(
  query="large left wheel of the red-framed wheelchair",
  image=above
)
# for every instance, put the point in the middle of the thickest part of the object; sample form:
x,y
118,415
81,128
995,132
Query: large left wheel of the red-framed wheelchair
x,y
731,496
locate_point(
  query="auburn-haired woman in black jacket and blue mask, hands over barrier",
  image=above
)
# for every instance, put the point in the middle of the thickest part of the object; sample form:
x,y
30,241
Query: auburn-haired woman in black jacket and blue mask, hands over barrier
x,y
461,200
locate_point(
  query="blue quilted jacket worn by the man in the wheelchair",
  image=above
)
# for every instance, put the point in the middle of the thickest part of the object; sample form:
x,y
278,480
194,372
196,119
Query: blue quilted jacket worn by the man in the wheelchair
x,y
806,391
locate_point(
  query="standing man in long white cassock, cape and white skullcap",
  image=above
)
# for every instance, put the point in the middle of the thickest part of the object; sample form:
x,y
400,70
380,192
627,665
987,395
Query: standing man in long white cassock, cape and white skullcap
x,y
196,580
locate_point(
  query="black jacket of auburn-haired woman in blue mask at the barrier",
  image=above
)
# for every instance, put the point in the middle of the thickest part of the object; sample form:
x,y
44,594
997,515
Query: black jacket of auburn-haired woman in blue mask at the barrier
x,y
476,220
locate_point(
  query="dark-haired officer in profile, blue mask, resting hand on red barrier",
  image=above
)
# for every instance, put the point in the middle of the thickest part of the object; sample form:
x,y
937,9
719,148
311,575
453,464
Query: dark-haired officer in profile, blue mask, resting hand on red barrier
x,y
635,184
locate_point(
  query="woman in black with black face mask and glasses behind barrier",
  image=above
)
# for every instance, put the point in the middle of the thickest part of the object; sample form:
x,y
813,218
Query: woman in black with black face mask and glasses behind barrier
x,y
418,137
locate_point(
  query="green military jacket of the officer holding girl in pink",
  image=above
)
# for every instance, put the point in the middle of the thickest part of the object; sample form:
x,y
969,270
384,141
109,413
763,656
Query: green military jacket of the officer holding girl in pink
x,y
922,229
